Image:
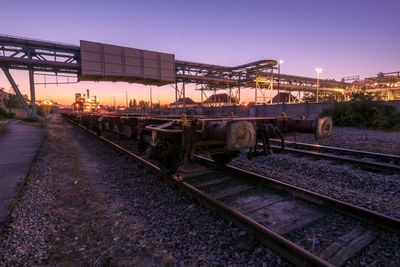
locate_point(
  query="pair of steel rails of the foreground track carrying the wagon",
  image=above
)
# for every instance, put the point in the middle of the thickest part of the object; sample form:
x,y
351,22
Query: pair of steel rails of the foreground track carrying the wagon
x,y
282,246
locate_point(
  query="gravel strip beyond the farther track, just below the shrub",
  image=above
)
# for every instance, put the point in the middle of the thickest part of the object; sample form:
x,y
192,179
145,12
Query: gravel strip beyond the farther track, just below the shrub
x,y
355,138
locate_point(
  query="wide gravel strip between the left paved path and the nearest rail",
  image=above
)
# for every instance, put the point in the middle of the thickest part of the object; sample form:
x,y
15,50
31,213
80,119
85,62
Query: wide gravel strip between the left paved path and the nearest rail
x,y
84,204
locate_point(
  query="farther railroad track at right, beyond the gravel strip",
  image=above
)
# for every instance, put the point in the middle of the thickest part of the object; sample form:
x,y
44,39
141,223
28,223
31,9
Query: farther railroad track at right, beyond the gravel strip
x,y
366,159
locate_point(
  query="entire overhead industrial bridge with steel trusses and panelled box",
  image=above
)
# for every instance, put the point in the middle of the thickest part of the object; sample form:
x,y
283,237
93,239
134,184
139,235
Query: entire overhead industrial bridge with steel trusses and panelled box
x,y
101,62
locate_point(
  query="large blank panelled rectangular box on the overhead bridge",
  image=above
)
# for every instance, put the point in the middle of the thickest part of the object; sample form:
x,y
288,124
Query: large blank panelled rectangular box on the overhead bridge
x,y
103,62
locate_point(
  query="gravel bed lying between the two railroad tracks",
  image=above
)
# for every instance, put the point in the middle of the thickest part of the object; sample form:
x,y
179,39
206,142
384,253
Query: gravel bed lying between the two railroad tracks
x,y
348,183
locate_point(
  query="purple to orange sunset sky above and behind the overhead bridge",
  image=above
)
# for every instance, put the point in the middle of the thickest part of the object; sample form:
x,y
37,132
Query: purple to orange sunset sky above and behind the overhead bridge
x,y
344,38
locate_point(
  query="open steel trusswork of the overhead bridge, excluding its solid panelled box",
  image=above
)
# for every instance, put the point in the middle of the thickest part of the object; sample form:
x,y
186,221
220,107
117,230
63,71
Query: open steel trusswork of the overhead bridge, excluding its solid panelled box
x,y
50,57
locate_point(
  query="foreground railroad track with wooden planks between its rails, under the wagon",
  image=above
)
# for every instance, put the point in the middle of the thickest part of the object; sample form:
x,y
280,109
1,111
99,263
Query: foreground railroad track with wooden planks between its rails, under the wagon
x,y
278,214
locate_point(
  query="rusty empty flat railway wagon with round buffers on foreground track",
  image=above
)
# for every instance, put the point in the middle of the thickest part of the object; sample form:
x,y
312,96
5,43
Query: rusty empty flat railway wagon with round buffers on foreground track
x,y
175,140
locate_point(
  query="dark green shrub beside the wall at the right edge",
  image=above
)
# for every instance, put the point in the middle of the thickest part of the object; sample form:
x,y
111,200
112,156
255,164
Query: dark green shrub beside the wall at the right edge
x,y
362,111
